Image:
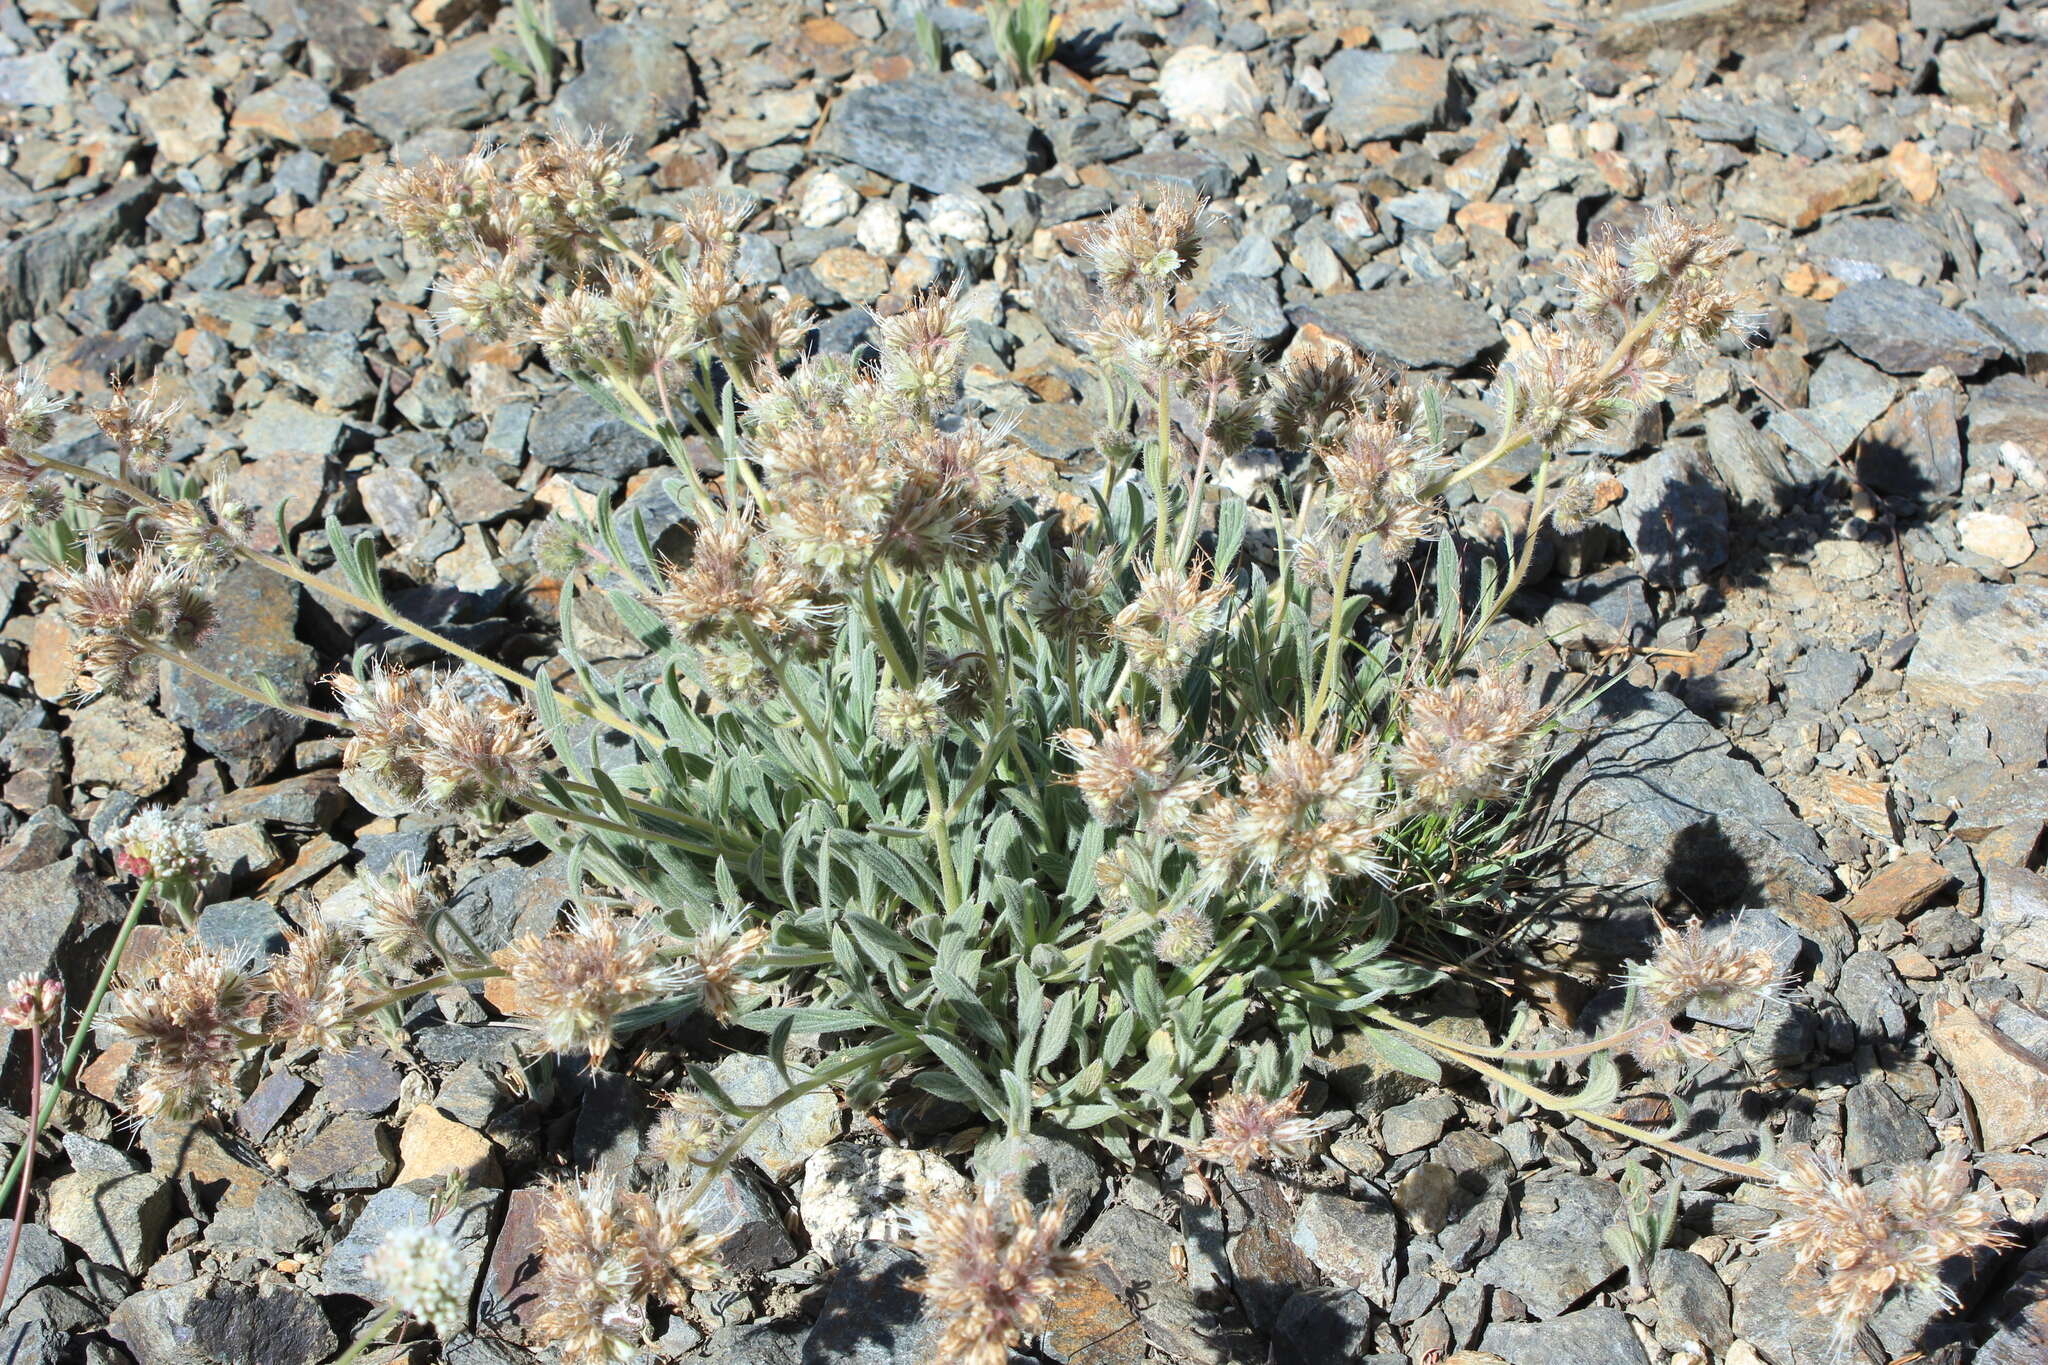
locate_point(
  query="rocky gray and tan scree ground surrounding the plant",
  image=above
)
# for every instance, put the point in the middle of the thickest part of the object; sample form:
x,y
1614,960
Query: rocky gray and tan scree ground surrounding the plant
x,y
1822,578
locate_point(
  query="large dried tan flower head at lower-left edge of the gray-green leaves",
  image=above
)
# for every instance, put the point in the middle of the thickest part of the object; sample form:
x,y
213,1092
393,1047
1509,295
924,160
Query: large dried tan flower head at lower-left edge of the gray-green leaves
x,y
574,983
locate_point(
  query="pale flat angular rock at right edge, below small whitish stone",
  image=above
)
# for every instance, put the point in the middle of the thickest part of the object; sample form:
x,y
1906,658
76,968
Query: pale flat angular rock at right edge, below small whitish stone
x,y
1981,640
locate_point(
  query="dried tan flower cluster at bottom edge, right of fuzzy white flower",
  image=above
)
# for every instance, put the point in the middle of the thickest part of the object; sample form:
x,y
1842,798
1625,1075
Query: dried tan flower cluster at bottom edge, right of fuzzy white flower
x,y
605,1251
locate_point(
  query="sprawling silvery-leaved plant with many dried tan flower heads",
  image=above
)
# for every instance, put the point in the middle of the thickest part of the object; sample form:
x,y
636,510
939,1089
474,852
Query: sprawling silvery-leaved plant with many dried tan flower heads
x,y
1076,793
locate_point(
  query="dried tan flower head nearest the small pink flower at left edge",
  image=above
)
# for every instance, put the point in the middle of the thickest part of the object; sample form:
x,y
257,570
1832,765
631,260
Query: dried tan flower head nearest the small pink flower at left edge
x,y
185,1012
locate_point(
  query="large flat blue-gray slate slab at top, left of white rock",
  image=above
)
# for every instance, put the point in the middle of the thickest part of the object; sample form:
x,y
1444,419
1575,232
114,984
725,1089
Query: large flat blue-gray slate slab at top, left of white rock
x,y
941,134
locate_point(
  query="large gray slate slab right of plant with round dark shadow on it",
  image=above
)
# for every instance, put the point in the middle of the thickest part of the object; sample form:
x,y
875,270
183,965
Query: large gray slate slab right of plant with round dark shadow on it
x,y
1662,809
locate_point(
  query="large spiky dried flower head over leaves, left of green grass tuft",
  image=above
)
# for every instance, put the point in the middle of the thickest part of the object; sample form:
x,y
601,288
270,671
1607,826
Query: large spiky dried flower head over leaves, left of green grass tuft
x,y
1306,818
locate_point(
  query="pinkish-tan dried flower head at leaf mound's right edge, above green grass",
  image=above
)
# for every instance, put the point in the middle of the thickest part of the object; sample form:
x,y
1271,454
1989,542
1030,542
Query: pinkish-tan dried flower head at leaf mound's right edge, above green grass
x,y
1465,742
